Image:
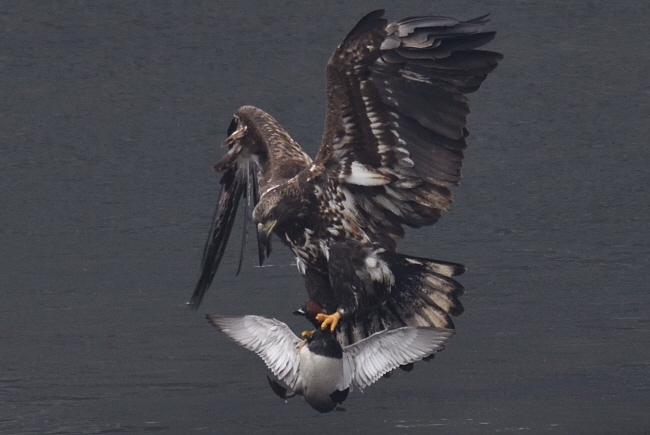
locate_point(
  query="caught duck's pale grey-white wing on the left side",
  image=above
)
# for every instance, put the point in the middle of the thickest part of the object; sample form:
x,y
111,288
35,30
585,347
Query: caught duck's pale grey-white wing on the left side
x,y
271,339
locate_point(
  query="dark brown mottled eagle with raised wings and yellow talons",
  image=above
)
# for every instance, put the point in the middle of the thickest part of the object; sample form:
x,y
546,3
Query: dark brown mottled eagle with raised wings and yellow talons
x,y
395,131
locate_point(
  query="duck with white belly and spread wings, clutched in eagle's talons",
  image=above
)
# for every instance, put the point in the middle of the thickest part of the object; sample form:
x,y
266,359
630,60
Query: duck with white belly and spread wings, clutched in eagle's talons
x,y
315,365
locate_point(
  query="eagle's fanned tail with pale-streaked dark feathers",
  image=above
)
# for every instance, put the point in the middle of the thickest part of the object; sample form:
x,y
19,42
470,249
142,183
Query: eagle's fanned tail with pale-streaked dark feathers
x,y
424,293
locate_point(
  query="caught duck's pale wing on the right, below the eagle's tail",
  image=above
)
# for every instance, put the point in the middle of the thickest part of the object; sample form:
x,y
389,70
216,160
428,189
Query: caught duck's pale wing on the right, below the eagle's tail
x,y
369,359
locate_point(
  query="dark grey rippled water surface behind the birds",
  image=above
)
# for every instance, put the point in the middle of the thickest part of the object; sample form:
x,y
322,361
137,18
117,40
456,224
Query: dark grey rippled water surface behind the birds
x,y
111,116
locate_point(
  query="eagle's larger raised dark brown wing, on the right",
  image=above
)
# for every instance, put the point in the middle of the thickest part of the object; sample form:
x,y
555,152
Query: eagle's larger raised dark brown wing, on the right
x,y
396,118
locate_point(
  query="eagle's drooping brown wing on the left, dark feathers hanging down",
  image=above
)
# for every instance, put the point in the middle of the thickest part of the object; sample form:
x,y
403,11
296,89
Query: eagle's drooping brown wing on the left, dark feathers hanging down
x,y
261,155
